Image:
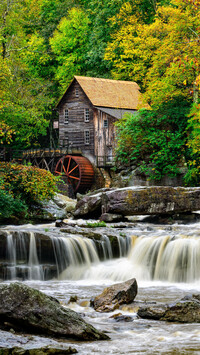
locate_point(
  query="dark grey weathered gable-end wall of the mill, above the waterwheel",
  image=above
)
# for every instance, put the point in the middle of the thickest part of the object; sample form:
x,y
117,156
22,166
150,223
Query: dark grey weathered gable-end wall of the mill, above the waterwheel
x,y
73,132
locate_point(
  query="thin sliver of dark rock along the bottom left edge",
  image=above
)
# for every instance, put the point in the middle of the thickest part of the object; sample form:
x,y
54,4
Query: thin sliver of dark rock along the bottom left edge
x,y
37,351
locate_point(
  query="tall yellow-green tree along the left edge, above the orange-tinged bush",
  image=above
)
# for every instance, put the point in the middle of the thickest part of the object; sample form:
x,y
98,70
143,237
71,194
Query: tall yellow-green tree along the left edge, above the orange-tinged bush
x,y
24,94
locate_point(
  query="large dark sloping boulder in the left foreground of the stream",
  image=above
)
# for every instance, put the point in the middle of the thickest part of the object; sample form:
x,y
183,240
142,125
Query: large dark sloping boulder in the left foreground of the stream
x,y
26,309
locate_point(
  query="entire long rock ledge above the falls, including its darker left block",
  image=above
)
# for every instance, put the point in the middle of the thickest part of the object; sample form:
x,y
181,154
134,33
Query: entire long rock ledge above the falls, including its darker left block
x,y
154,200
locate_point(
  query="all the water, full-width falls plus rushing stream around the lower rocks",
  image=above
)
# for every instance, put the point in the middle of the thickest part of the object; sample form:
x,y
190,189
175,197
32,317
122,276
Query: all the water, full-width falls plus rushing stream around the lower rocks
x,y
76,265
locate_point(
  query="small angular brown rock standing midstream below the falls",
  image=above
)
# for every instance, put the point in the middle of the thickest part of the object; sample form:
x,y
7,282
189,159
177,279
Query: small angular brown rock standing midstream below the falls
x,y
112,297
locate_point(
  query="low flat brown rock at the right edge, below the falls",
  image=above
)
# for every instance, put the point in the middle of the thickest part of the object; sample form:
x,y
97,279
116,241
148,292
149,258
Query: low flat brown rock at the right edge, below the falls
x,y
187,310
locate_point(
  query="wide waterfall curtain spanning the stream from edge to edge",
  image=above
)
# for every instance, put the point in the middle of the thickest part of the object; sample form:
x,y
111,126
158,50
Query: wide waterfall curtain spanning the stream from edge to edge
x,y
169,257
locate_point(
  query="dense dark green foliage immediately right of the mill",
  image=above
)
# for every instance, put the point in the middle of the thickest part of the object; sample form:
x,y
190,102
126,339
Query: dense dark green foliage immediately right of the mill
x,y
154,140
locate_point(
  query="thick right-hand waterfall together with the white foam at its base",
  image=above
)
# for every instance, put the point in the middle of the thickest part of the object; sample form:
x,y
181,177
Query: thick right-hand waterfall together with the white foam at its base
x,y
161,258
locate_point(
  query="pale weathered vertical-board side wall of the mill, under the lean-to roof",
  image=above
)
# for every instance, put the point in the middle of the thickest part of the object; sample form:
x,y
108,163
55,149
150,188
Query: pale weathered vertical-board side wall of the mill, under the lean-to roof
x,y
104,136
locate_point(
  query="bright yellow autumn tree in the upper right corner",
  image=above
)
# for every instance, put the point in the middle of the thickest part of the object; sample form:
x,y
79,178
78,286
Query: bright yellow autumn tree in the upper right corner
x,y
162,56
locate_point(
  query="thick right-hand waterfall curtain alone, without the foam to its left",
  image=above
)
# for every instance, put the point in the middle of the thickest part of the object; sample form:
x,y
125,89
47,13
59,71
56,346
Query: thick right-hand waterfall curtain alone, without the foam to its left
x,y
166,258
